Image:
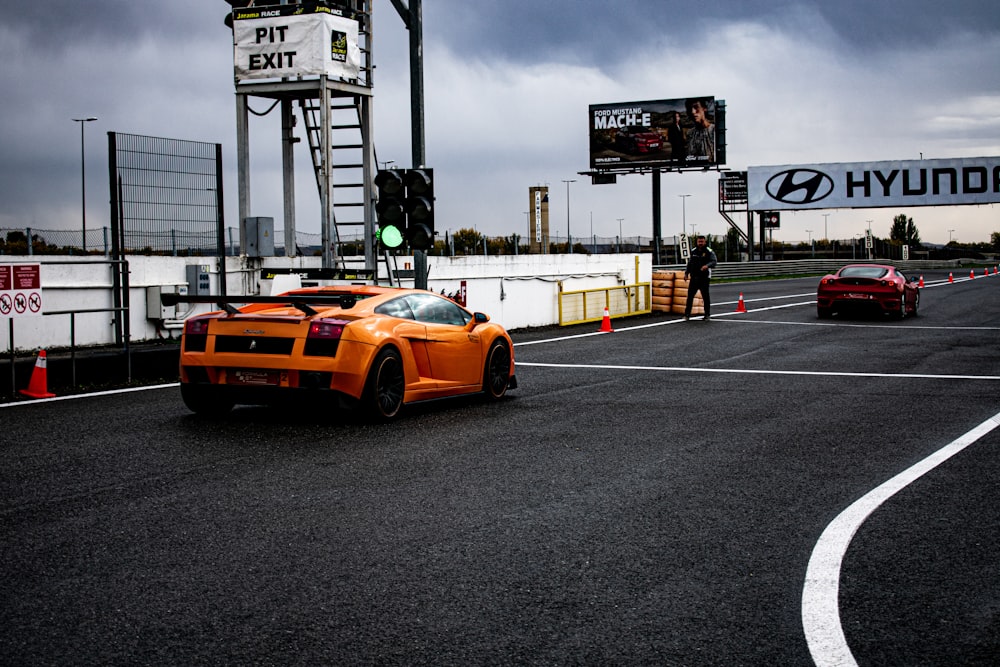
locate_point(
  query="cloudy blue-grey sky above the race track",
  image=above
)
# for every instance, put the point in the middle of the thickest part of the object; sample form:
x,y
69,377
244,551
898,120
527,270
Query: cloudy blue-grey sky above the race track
x,y
508,86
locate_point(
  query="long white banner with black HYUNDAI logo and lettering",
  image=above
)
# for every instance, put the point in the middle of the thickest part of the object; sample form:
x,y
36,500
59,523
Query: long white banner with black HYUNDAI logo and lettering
x,y
946,182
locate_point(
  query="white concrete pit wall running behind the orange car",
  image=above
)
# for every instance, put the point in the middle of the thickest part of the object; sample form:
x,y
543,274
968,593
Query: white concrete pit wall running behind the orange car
x,y
518,291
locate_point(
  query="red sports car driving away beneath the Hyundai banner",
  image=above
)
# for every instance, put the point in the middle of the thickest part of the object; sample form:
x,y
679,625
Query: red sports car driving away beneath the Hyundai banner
x,y
870,286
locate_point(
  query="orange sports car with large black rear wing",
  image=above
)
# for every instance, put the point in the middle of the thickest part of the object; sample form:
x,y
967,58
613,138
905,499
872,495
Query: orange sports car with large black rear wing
x,y
380,347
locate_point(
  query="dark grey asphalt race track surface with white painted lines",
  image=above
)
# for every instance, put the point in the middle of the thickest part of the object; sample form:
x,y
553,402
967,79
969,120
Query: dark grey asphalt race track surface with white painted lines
x,y
766,488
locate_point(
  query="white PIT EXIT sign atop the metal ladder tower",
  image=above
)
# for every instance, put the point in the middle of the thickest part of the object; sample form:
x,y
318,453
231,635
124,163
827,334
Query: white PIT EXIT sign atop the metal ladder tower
x,y
295,40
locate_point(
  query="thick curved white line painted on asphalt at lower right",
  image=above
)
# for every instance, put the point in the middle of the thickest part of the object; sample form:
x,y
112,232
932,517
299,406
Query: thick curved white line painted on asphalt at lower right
x,y
820,595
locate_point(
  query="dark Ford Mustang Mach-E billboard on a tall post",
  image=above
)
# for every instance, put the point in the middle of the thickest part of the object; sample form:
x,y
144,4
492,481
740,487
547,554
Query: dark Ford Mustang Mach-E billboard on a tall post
x,y
657,133
